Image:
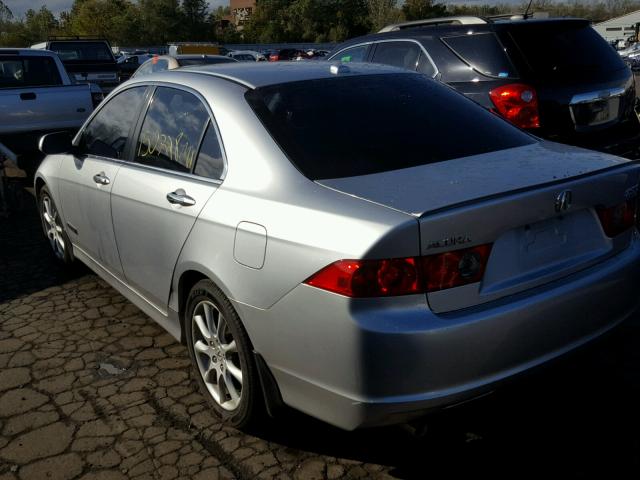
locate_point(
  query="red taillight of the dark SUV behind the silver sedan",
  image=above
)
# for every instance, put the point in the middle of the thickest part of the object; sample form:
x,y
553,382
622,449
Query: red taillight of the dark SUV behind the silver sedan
x,y
518,103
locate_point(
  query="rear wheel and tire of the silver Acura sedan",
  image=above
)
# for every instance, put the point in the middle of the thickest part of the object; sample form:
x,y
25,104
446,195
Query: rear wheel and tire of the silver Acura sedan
x,y
223,363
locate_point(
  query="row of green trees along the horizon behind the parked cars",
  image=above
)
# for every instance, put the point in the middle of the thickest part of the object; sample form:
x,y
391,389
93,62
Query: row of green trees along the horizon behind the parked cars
x,y
156,22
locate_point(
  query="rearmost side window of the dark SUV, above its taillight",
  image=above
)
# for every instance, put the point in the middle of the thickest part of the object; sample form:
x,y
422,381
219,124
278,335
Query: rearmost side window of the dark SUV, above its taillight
x,y
484,53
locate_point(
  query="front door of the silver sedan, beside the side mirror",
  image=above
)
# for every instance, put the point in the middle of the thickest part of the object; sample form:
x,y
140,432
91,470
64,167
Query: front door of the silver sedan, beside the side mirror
x,y
88,174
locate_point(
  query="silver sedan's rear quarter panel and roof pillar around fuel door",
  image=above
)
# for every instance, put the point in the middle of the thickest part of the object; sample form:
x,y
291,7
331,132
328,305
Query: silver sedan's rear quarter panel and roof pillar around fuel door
x,y
307,226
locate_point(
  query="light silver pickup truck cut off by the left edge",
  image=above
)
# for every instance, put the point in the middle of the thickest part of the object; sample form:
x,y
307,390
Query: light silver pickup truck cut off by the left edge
x,y
37,97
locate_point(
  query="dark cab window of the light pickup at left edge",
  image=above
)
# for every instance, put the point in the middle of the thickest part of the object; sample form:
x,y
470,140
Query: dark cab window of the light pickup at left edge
x,y
28,71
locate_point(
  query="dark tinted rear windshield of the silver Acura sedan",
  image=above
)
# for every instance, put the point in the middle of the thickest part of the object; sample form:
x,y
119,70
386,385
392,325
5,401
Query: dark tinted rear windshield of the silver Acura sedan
x,y
348,126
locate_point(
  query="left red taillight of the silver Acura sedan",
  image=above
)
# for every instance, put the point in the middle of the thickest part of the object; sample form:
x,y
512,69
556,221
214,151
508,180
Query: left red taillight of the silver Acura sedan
x,y
403,276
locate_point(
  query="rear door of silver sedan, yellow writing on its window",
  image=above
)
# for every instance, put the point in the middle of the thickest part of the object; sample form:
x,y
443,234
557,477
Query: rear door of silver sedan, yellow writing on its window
x,y
159,194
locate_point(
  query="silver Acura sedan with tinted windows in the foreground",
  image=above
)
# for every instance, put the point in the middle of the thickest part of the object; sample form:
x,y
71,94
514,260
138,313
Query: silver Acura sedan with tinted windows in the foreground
x,y
357,242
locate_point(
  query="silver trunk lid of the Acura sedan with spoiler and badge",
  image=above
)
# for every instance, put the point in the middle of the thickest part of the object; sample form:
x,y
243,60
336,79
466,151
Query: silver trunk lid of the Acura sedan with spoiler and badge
x,y
536,235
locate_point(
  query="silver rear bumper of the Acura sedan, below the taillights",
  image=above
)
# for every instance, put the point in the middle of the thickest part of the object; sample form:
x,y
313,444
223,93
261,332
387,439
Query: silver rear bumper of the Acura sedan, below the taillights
x,y
374,362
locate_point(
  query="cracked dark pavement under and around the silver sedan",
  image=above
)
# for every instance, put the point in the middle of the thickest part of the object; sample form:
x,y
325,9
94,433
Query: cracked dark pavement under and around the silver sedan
x,y
91,388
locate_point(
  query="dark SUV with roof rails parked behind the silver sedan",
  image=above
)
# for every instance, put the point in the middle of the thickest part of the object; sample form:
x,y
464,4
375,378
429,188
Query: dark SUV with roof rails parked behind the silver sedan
x,y
557,78
